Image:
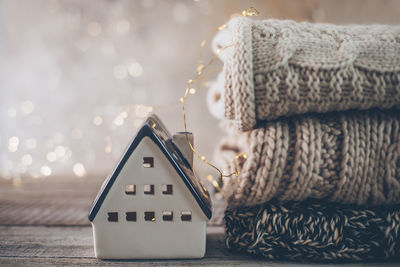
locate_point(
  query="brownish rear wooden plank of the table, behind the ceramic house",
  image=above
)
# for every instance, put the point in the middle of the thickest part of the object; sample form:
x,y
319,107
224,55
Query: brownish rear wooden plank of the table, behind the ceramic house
x,y
58,201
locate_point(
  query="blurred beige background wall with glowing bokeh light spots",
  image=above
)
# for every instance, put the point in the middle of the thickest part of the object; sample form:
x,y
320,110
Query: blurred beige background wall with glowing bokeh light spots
x,y
79,77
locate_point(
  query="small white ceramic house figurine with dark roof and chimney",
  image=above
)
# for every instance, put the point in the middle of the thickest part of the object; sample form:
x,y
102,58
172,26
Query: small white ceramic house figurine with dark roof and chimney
x,y
152,206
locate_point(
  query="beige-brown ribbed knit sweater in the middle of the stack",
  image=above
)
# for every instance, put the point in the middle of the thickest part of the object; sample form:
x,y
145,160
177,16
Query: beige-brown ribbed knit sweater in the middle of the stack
x,y
345,157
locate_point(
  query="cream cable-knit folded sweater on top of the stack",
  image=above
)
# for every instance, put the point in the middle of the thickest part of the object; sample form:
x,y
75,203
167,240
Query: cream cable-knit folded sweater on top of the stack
x,y
278,68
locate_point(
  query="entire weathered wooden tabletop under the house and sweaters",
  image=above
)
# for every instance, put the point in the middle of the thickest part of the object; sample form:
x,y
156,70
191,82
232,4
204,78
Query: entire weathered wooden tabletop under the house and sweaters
x,y
44,223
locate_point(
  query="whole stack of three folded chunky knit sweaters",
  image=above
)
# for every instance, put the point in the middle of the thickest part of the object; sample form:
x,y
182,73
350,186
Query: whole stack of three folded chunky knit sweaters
x,y
315,107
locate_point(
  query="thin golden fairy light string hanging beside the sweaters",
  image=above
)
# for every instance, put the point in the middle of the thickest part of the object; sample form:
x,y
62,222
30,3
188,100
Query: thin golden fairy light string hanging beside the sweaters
x,y
191,89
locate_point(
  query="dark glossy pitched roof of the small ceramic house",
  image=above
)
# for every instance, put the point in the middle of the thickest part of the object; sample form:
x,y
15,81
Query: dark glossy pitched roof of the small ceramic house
x,y
155,129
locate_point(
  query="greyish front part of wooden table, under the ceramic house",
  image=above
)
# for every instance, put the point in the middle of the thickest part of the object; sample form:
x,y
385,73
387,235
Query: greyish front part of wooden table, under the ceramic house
x,y
57,246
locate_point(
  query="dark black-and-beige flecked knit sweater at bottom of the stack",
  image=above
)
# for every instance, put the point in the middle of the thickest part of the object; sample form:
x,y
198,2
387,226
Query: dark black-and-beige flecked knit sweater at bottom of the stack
x,y
312,230
